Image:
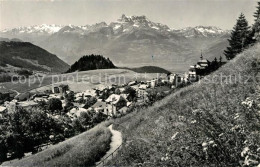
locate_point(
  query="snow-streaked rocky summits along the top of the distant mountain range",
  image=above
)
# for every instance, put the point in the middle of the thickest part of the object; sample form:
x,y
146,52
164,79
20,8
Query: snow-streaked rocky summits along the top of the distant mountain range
x,y
125,24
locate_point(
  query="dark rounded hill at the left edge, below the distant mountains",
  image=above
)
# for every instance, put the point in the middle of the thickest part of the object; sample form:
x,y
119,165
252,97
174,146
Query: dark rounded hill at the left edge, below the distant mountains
x,y
28,56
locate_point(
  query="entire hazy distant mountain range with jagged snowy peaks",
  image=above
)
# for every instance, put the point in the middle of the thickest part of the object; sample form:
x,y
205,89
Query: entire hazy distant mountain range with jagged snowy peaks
x,y
129,41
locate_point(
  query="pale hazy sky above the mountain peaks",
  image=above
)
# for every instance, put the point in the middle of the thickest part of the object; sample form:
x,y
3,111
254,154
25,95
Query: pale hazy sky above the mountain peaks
x,y
174,13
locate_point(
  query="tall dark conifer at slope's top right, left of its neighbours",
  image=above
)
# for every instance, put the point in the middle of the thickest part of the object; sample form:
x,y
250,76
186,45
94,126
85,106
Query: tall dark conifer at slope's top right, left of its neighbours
x,y
239,38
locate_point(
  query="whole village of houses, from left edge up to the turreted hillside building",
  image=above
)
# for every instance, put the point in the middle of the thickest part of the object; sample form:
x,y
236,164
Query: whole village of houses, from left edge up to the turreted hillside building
x,y
116,103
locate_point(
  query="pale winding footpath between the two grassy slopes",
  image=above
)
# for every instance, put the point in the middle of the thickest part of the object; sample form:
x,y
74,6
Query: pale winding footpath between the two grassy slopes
x,y
116,141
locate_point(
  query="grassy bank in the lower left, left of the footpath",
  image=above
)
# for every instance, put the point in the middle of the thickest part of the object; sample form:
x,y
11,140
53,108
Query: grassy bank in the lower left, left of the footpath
x,y
82,150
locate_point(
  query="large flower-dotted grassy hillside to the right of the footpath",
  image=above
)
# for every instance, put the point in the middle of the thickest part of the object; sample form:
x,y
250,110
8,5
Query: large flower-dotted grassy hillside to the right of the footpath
x,y
172,131
